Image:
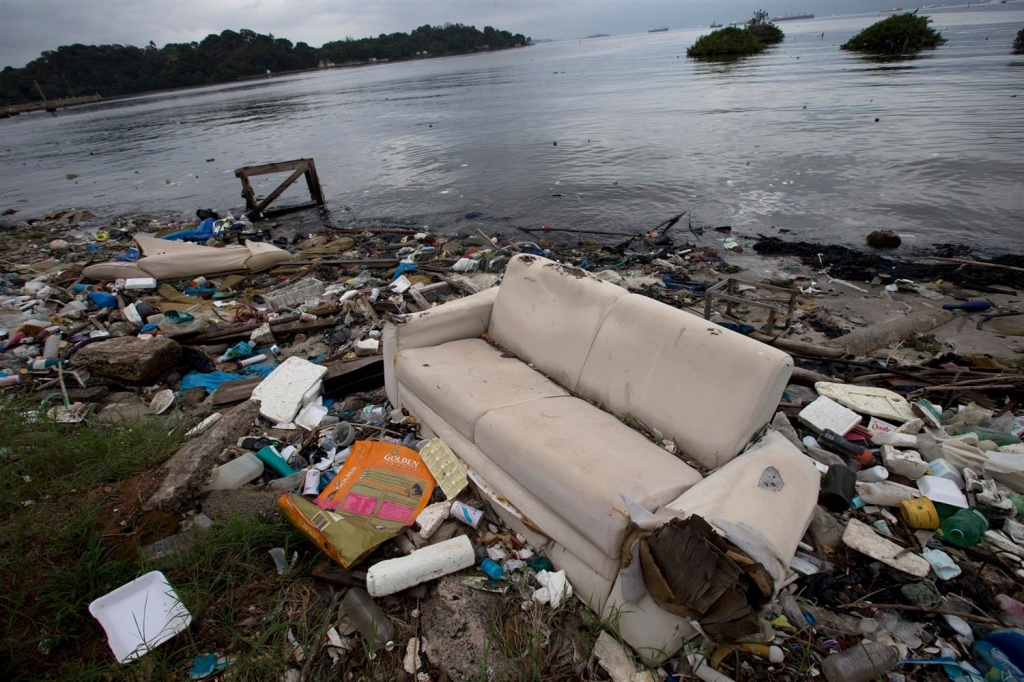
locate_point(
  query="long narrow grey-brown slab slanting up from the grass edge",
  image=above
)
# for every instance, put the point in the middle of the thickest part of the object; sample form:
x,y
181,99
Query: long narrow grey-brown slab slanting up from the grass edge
x,y
190,468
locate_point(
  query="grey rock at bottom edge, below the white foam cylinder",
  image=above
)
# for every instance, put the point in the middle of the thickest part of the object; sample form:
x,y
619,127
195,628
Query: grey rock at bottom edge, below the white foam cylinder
x,y
458,627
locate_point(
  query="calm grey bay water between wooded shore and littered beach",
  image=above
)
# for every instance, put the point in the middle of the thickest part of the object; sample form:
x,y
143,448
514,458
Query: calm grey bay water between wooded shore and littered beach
x,y
787,140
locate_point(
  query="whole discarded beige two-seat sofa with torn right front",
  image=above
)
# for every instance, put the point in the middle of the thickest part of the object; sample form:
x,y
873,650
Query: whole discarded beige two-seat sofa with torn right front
x,y
534,383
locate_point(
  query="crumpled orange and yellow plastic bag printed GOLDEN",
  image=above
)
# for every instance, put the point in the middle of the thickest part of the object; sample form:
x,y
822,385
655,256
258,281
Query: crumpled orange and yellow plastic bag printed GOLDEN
x,y
380,491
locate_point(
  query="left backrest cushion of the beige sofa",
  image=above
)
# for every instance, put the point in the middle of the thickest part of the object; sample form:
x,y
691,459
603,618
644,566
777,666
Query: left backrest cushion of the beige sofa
x,y
548,318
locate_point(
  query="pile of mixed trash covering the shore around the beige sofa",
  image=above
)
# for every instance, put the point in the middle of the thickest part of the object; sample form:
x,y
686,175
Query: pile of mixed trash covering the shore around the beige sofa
x,y
913,565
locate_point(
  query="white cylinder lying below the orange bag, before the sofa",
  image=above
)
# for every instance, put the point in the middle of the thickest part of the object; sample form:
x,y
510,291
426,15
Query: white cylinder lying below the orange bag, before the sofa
x,y
422,566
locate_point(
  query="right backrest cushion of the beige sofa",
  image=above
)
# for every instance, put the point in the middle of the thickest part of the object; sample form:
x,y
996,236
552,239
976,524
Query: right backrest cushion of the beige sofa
x,y
707,389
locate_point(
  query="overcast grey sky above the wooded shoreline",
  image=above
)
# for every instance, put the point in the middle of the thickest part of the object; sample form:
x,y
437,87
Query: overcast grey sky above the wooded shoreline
x,y
29,27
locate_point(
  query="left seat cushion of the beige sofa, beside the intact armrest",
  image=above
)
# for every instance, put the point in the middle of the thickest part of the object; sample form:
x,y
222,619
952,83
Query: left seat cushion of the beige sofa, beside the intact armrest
x,y
463,380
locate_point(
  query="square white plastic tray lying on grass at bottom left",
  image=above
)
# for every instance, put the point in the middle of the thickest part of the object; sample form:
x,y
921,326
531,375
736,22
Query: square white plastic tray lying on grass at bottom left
x,y
141,616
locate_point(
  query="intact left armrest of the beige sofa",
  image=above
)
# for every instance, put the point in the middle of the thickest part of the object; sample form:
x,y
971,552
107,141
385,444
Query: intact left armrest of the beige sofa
x,y
464,319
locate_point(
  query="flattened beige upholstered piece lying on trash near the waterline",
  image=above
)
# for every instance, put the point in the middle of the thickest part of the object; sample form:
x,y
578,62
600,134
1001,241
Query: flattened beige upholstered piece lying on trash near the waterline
x,y
165,260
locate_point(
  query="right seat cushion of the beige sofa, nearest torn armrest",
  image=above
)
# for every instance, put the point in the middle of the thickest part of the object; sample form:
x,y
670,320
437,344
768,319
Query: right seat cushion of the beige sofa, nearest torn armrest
x,y
581,461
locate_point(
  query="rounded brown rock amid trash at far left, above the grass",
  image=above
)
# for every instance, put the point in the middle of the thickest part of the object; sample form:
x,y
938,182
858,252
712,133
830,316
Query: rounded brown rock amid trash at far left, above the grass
x,y
129,359
